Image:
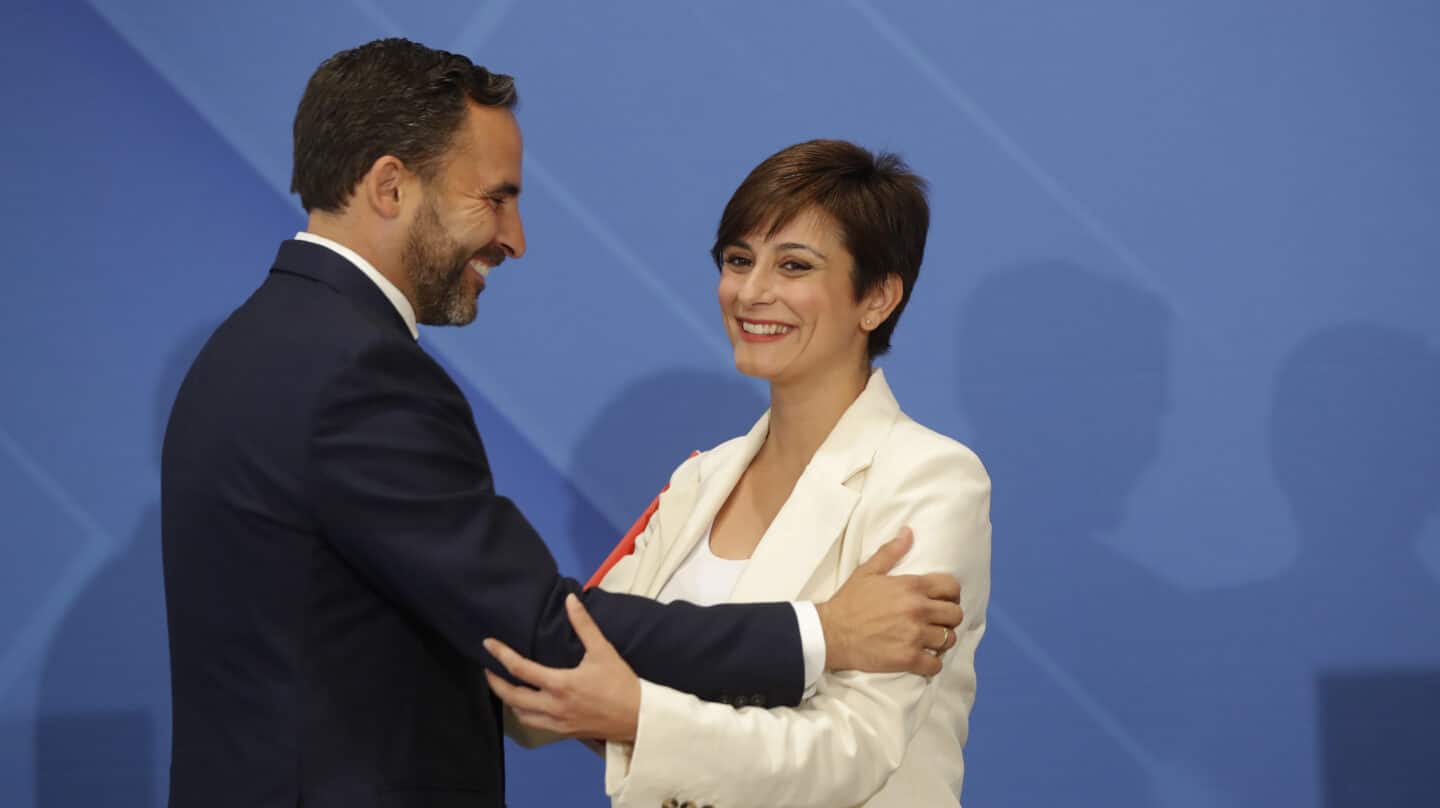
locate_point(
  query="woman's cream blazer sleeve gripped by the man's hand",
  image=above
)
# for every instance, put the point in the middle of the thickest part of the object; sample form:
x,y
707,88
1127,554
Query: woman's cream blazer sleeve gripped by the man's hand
x,y
843,745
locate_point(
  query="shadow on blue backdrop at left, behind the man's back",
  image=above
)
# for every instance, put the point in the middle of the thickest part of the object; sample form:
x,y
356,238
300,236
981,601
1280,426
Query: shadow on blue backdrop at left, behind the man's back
x,y
104,708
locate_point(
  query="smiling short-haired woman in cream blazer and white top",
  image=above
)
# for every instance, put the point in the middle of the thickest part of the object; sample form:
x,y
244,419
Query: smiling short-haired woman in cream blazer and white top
x,y
819,251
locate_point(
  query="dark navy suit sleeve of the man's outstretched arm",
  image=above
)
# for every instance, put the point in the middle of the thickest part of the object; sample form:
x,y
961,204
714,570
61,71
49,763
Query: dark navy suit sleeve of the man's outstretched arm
x,y
401,488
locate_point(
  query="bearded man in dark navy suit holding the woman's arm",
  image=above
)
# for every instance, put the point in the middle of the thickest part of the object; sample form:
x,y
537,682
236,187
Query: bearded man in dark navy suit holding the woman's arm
x,y
335,551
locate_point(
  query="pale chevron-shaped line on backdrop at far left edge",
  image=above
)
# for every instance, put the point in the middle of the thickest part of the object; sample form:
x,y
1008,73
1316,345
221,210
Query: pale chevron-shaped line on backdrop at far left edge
x,y
100,545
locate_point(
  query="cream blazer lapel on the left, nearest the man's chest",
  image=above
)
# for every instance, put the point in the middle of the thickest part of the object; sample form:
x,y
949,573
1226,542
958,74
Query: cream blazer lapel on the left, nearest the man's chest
x,y
686,519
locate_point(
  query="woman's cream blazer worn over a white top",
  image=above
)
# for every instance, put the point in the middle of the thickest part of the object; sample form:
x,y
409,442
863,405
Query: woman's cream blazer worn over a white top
x,y
863,740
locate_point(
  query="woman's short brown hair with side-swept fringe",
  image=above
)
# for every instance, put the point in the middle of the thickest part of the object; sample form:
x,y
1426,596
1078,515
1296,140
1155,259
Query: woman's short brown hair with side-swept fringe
x,y
876,199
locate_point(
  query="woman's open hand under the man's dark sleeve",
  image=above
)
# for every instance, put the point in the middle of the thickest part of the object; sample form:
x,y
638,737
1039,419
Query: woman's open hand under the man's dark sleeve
x,y
597,699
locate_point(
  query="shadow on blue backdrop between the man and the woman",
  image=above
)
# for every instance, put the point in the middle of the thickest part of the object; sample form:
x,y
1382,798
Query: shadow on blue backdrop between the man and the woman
x,y
642,436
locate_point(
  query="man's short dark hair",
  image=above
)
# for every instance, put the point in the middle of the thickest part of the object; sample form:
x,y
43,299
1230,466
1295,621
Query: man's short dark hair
x,y
387,97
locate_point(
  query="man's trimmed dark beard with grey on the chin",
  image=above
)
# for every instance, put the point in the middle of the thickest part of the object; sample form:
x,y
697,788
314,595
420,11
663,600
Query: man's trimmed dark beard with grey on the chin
x,y
437,267
